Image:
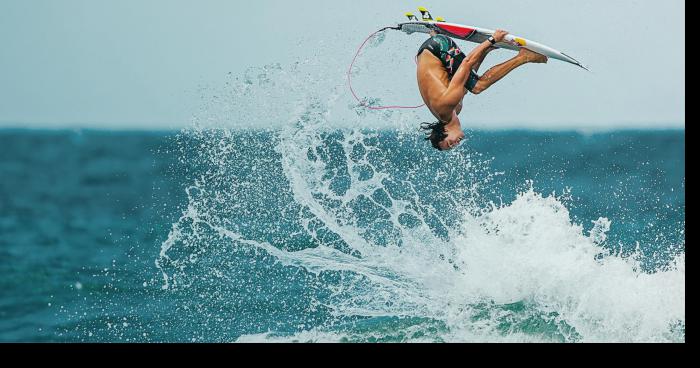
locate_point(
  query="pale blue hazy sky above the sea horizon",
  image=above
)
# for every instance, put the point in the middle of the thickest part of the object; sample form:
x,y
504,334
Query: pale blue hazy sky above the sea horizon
x,y
138,64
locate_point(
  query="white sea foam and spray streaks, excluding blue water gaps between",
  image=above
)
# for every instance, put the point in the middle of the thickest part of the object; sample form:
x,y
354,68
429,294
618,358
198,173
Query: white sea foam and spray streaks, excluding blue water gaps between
x,y
518,271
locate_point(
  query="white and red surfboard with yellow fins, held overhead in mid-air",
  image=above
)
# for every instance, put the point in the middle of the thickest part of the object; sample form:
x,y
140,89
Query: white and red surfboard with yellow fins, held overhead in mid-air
x,y
478,35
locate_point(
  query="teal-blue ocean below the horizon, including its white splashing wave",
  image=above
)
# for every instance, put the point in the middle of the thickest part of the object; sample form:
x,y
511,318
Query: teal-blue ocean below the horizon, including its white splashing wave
x,y
350,235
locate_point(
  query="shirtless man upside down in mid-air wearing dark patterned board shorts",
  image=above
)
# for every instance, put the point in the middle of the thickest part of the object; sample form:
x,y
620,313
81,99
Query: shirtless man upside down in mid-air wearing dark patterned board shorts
x,y
445,75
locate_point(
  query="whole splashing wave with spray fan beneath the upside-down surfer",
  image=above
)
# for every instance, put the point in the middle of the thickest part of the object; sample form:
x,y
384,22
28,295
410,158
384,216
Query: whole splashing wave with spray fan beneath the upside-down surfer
x,y
360,235
